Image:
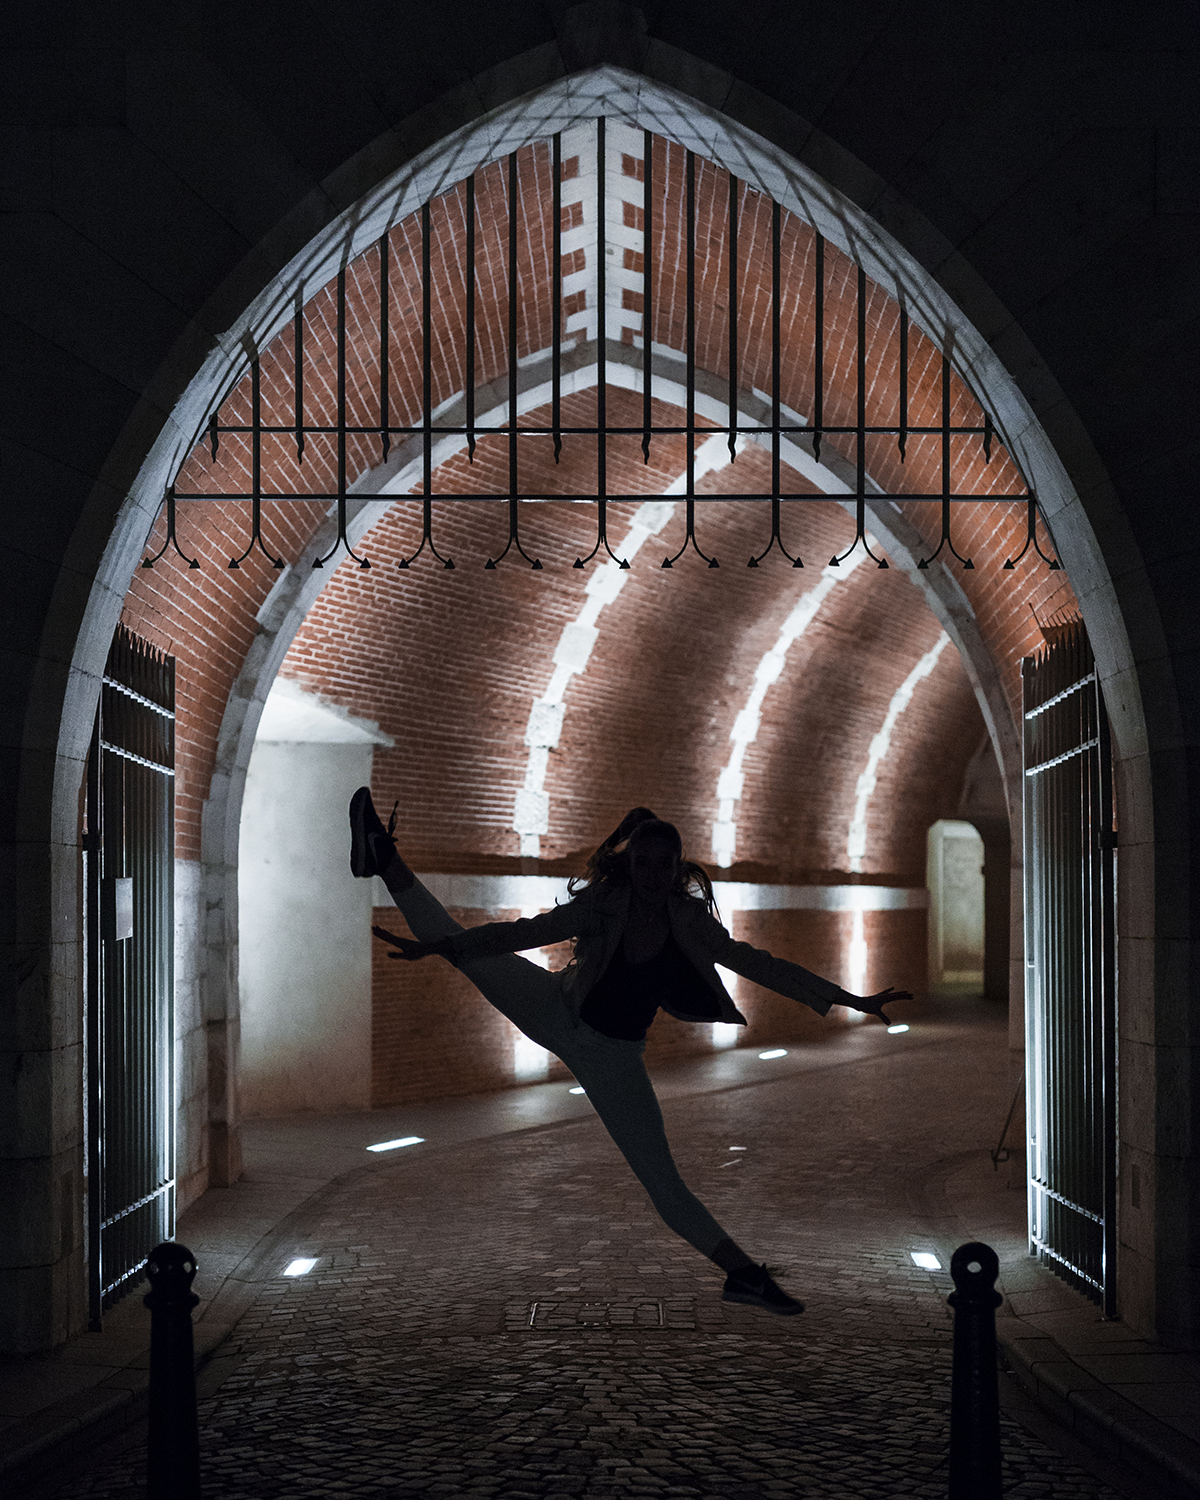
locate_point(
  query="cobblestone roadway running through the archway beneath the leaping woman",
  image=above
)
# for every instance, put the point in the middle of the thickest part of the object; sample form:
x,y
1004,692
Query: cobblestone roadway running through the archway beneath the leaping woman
x,y
509,1319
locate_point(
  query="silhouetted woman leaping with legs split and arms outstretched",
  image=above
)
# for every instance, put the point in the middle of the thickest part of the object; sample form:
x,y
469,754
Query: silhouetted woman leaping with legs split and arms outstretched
x,y
646,938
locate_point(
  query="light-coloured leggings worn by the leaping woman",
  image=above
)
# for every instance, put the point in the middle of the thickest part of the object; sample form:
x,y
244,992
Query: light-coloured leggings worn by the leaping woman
x,y
610,1070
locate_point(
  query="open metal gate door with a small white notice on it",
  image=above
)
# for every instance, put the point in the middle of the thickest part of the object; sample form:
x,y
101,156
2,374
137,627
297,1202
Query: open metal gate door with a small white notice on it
x,y
130,929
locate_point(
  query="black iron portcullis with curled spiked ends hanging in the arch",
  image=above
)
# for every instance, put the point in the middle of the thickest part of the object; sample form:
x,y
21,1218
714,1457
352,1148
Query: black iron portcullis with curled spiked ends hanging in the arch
x,y
304,419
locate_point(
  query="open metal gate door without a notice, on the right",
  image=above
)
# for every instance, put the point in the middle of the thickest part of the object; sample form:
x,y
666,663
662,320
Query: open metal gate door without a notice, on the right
x,y
1070,967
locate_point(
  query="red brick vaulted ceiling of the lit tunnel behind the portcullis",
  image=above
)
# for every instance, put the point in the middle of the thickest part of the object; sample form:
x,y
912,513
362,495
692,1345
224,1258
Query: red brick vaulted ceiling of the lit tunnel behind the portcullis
x,y
451,664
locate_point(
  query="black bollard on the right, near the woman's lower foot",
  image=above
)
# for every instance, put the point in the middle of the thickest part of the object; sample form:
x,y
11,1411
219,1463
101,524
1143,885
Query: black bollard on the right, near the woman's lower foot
x,y
974,1390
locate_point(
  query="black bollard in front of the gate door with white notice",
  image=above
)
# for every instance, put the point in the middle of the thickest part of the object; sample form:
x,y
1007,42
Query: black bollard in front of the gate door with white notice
x,y
173,1441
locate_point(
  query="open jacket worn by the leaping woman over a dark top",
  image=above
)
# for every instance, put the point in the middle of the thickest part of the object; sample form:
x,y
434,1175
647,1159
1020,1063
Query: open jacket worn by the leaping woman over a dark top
x,y
598,917
